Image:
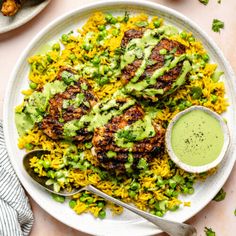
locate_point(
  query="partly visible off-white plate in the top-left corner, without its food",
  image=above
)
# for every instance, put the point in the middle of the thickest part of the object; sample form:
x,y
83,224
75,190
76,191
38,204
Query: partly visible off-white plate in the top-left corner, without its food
x,y
29,10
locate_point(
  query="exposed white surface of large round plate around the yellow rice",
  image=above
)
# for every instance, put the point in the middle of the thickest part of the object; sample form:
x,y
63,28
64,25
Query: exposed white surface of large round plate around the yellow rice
x,y
127,223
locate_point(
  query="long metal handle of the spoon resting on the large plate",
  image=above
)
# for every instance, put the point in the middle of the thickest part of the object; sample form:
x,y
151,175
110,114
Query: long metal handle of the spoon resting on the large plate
x,y
170,227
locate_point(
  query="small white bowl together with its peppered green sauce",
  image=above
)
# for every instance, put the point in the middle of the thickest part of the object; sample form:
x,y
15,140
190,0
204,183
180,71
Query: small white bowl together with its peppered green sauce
x,y
197,139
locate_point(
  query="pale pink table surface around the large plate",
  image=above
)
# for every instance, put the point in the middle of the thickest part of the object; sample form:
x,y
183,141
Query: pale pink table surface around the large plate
x,y
218,215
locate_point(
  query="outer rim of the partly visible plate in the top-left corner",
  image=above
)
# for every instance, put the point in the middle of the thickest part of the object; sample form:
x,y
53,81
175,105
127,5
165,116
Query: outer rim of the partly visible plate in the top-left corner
x,y
26,19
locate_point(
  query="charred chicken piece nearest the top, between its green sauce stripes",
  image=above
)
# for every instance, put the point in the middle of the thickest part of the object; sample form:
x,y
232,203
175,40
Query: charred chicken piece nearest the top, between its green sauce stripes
x,y
157,60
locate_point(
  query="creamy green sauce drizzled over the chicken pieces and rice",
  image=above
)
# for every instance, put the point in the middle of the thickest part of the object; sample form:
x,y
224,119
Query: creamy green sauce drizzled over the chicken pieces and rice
x,y
36,105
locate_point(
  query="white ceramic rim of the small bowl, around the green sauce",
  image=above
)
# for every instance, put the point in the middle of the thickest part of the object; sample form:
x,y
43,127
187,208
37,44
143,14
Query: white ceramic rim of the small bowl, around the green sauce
x,y
202,168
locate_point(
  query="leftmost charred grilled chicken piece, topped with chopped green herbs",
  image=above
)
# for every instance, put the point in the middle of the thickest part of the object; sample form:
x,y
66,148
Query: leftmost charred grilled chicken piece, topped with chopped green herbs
x,y
72,104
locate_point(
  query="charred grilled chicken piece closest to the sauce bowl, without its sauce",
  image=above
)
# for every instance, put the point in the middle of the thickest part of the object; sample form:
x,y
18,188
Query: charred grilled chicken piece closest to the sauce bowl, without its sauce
x,y
104,141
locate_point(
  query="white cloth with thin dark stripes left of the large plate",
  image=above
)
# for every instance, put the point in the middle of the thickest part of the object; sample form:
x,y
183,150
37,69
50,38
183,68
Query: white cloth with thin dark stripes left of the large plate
x,y
16,218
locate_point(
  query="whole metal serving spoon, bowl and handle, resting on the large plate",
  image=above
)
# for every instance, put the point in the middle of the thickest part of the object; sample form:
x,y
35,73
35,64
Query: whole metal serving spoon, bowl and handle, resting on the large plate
x,y
170,227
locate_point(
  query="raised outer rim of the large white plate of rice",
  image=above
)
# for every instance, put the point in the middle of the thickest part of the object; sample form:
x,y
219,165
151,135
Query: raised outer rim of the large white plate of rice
x,y
110,3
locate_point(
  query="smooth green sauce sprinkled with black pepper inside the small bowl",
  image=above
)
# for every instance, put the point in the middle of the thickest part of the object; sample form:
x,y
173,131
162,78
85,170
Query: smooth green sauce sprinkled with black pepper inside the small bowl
x,y
197,138
